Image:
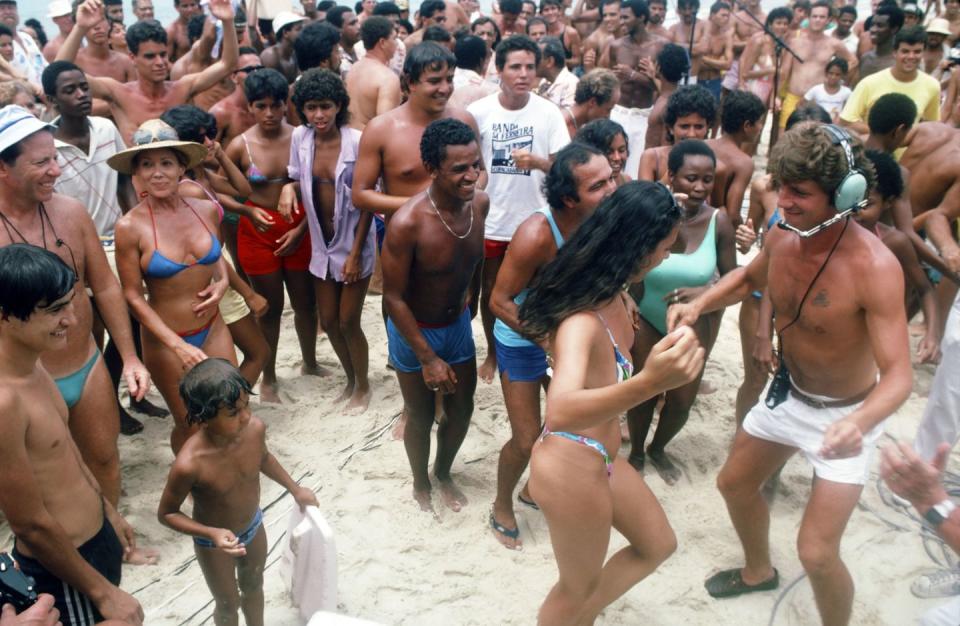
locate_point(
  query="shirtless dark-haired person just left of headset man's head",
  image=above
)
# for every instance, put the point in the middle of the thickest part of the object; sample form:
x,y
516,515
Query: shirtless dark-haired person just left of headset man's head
x,y
741,122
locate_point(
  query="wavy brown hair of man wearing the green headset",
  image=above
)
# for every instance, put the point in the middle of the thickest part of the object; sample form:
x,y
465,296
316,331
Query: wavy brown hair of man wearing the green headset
x,y
807,152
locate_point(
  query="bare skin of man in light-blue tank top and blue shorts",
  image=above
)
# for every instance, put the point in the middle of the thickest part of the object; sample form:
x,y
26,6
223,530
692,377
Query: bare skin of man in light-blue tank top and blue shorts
x,y
532,247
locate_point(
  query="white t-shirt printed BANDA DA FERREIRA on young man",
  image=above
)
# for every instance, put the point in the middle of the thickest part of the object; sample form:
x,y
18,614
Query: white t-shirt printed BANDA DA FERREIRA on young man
x,y
515,193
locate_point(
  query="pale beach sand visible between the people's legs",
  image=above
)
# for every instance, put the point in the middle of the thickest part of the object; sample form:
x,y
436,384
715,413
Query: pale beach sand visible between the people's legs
x,y
400,566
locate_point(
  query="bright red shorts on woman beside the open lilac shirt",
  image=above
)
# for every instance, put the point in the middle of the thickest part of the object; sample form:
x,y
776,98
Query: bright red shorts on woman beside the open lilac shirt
x,y
255,250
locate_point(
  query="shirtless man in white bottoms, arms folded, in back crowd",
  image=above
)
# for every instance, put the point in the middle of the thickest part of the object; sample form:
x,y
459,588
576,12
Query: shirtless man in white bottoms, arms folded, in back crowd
x,y
631,59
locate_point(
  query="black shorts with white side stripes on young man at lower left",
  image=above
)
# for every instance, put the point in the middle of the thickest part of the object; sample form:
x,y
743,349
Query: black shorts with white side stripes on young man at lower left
x,y
103,552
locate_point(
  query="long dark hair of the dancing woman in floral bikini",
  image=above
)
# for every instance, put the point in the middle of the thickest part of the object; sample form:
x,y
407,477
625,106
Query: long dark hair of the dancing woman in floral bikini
x,y
606,250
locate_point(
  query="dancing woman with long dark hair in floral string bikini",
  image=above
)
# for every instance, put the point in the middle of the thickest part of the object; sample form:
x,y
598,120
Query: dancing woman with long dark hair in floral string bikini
x,y
576,477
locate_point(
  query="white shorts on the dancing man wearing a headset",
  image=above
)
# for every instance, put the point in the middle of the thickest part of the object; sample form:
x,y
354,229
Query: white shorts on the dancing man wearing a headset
x,y
802,426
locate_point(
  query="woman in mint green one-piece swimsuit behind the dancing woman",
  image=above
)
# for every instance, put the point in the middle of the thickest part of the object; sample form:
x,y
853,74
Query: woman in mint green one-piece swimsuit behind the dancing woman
x,y
706,245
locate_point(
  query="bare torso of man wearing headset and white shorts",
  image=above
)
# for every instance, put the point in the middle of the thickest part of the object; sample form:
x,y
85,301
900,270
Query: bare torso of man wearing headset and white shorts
x,y
828,350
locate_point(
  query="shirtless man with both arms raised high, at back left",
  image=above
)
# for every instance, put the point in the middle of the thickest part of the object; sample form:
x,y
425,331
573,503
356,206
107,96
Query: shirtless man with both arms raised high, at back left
x,y
151,94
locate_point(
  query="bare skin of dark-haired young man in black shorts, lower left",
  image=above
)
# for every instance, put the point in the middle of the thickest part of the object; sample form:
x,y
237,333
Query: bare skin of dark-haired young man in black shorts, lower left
x,y
50,498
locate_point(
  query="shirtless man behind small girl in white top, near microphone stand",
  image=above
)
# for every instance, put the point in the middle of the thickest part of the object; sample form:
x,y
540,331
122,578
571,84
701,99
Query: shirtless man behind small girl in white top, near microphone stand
x,y
816,49
